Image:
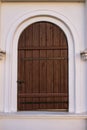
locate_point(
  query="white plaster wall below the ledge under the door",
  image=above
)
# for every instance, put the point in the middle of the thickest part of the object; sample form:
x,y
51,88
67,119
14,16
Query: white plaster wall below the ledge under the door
x,y
42,124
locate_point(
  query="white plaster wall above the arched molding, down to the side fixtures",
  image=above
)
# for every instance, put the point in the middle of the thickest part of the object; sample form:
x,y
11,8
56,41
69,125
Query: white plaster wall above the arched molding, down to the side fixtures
x,y
74,12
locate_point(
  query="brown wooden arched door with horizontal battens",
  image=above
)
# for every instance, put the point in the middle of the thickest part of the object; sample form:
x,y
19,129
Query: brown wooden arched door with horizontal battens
x,y
42,68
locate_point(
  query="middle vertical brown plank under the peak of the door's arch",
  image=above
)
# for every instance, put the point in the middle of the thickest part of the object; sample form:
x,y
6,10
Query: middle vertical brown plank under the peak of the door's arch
x,y
43,64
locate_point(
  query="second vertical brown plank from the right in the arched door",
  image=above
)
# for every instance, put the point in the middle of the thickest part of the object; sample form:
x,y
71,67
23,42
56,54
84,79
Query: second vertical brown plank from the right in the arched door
x,y
57,79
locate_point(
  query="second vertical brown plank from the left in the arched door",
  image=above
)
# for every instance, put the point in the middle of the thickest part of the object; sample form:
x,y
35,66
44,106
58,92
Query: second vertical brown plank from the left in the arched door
x,y
28,65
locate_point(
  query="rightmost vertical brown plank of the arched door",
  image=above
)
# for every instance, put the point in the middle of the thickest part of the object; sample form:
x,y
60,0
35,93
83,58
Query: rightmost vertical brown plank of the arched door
x,y
64,69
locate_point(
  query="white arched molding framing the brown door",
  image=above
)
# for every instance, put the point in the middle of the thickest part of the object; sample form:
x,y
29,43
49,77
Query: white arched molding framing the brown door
x,y
10,101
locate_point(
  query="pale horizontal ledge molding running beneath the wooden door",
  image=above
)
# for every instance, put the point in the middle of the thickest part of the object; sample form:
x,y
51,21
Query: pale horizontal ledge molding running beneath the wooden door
x,y
45,115
